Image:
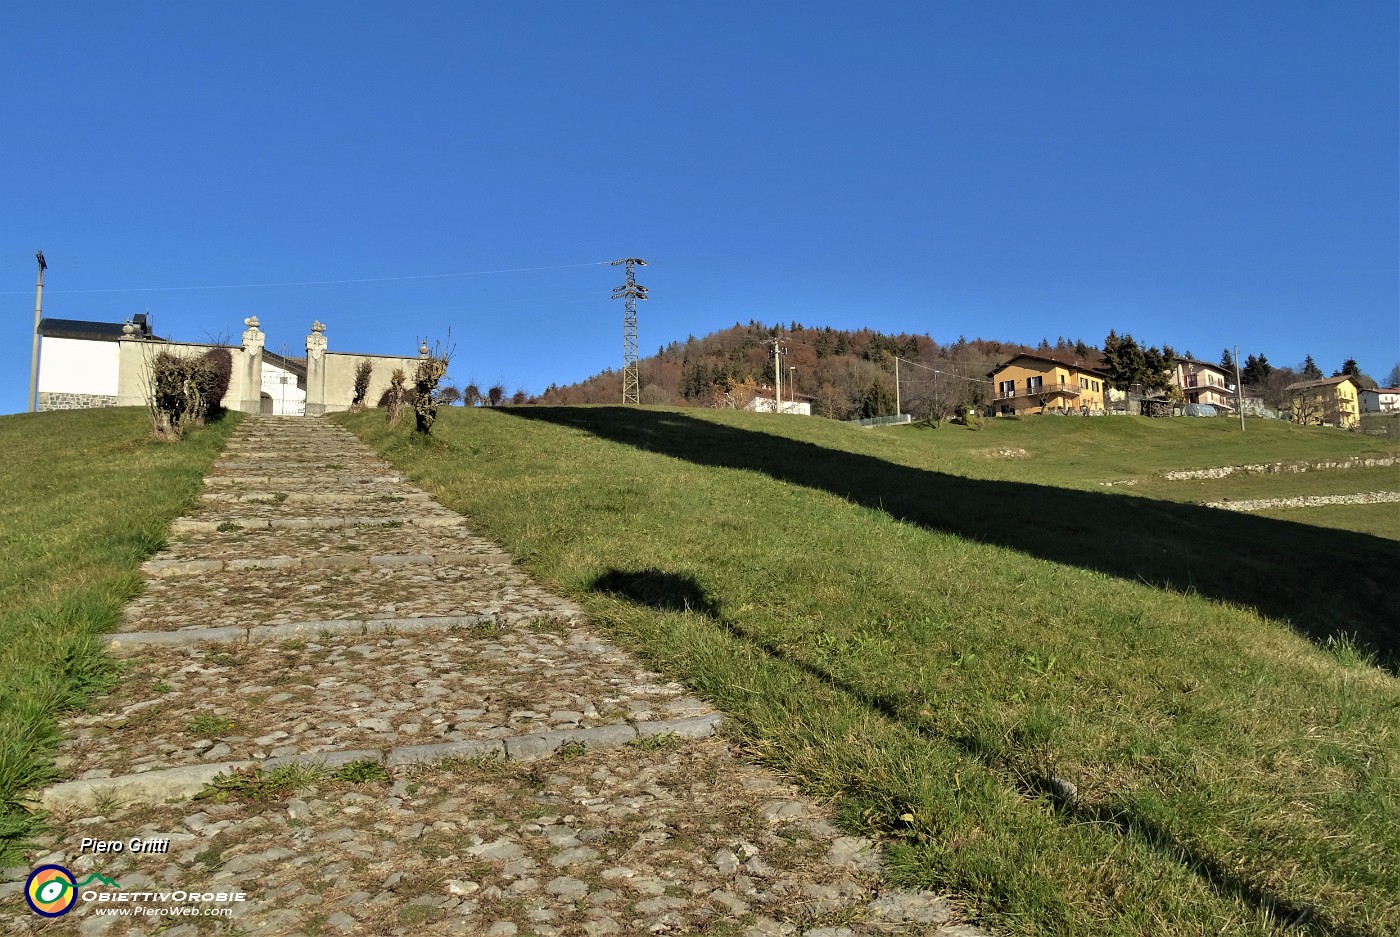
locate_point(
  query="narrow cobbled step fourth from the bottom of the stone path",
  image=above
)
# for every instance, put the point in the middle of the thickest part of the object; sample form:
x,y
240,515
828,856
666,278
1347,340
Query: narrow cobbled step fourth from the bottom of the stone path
x,y
257,543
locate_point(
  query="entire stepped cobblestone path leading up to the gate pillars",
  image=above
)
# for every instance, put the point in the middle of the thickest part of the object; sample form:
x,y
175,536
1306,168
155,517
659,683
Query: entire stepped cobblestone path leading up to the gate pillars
x,y
407,736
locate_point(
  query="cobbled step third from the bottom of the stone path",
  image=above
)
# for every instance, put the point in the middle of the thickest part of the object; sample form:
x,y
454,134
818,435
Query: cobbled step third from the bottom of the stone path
x,y
247,597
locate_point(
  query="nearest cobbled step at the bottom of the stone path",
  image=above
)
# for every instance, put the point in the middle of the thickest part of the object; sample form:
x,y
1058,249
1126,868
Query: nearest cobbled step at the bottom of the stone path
x,y
656,840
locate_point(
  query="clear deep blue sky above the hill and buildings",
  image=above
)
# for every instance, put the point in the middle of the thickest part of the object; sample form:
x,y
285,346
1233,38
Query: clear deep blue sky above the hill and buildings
x,y
1199,174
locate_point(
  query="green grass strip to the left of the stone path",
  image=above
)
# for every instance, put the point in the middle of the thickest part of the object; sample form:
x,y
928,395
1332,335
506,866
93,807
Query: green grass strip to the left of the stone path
x,y
85,498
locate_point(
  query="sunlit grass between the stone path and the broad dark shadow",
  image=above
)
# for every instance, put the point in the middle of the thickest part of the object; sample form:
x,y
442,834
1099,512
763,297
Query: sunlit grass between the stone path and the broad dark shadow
x,y
967,792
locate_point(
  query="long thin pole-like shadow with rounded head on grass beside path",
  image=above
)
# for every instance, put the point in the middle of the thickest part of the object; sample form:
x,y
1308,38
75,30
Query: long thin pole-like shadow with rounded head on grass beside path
x,y
678,593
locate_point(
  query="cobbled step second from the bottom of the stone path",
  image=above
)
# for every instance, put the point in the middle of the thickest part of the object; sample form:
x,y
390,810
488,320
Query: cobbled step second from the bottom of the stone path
x,y
185,705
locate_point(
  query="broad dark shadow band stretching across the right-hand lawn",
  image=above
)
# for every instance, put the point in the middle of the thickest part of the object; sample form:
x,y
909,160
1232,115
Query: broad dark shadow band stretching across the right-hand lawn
x,y
1324,582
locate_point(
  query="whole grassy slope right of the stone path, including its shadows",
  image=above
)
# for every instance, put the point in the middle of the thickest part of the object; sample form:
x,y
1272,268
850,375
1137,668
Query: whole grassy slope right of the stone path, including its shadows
x,y
943,641
